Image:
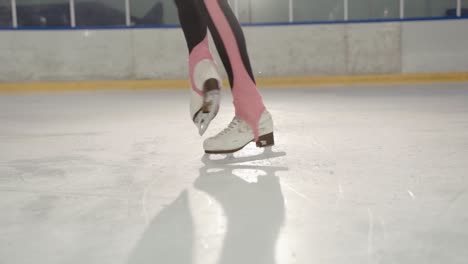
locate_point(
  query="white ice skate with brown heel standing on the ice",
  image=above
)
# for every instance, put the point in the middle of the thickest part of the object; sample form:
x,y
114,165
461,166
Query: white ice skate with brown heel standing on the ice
x,y
238,134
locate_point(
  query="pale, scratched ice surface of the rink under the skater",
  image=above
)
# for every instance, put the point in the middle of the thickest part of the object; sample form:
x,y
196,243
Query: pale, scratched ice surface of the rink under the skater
x,y
358,175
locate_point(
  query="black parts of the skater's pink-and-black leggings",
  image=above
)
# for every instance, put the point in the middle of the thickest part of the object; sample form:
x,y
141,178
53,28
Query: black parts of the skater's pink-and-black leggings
x,y
195,20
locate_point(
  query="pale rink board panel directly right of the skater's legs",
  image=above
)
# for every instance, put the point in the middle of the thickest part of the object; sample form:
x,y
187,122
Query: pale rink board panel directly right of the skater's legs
x,y
298,50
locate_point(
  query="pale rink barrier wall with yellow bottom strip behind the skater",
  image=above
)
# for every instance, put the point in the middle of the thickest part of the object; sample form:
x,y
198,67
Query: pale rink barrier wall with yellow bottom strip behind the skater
x,y
337,53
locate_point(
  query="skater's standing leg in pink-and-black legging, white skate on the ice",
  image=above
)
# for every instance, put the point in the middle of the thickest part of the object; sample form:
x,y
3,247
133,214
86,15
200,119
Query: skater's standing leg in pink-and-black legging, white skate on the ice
x,y
252,121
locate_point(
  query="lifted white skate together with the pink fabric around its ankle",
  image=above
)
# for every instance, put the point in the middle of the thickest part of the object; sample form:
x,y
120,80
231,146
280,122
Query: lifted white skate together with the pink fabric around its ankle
x,y
206,87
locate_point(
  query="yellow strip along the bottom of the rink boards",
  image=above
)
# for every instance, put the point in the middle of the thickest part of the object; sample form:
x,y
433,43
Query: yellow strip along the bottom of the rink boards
x,y
278,82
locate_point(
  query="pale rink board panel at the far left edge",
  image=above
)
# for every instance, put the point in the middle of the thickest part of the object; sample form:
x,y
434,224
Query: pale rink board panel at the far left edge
x,y
65,55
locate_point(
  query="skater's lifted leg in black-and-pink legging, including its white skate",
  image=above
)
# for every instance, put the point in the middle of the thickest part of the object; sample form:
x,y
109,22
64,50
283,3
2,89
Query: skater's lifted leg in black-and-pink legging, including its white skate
x,y
204,77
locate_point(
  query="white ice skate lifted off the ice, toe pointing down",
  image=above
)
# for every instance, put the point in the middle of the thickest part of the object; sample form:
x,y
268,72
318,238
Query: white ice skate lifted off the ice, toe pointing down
x,y
205,98
